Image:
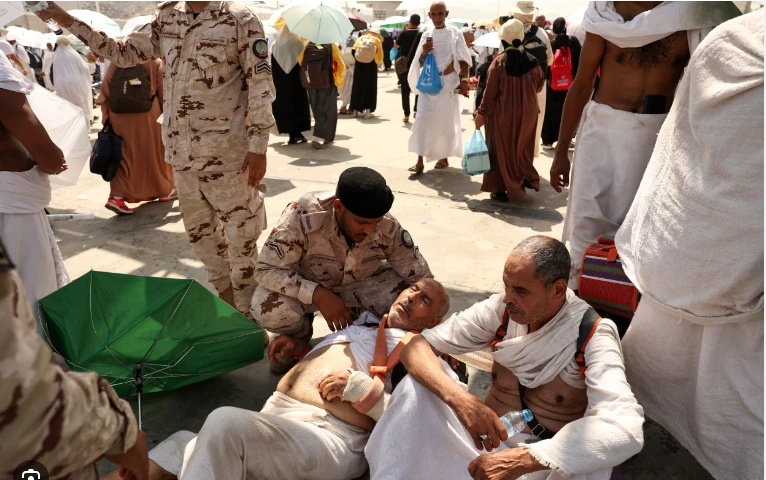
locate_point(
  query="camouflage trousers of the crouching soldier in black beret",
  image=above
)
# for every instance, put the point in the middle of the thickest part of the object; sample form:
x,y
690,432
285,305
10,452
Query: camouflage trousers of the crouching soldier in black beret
x,y
279,313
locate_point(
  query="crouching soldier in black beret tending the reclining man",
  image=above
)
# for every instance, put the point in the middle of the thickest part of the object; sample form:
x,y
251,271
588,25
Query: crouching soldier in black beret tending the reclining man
x,y
340,254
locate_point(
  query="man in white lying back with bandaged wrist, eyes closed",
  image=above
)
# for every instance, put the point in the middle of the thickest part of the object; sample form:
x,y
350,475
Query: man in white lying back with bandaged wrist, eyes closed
x,y
306,430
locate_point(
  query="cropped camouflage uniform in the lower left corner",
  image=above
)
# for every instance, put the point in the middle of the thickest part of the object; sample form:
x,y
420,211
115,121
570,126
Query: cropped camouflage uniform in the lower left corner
x,y
64,420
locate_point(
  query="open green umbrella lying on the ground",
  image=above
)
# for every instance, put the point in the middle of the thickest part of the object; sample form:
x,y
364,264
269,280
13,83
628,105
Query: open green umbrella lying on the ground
x,y
147,334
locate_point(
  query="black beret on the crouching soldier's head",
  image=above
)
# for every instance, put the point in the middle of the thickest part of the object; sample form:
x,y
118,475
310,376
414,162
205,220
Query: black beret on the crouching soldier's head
x,y
364,192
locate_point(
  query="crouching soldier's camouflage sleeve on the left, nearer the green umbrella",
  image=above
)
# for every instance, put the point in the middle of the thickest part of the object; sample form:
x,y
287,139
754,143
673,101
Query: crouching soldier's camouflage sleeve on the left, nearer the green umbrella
x,y
281,253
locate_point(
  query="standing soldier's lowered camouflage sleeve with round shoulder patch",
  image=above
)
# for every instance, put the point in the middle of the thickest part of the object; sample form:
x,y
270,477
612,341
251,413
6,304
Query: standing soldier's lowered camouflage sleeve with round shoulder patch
x,y
254,58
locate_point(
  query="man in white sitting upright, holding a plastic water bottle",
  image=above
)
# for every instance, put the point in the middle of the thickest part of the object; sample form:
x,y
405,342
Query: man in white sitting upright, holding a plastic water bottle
x,y
597,421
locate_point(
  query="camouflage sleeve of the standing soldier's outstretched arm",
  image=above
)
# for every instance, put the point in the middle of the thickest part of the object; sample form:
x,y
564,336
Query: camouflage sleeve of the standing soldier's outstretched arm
x,y
139,47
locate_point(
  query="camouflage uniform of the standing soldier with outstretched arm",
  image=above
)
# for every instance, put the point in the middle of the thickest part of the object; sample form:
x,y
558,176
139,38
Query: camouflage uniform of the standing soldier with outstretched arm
x,y
217,107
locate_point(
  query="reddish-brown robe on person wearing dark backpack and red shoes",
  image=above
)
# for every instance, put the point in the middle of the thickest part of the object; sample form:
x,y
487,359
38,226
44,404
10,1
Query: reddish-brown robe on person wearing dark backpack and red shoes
x,y
143,173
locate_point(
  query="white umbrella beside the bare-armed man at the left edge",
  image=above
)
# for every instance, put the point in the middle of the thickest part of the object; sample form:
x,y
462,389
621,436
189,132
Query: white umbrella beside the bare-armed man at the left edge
x,y
67,127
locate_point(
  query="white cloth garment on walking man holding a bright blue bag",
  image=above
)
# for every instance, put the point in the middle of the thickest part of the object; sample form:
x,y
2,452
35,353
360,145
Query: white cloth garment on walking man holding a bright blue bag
x,y
436,133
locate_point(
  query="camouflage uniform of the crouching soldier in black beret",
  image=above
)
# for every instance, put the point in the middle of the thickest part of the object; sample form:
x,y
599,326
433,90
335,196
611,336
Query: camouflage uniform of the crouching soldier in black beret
x,y
307,248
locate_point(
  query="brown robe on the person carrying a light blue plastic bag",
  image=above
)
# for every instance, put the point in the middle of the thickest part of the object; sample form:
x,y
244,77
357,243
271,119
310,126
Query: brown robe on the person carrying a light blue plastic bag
x,y
510,107
